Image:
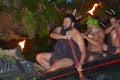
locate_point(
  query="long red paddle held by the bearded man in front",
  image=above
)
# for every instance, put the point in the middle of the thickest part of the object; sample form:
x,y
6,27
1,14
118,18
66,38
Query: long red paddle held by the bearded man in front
x,y
75,59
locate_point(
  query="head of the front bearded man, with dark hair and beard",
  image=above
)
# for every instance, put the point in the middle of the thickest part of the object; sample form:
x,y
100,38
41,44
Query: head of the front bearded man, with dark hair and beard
x,y
69,21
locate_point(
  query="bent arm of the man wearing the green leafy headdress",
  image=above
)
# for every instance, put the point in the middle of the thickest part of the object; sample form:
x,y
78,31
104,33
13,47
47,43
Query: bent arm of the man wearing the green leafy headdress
x,y
96,42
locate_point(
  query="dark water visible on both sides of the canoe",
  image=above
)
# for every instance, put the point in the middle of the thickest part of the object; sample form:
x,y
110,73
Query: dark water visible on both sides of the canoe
x,y
35,46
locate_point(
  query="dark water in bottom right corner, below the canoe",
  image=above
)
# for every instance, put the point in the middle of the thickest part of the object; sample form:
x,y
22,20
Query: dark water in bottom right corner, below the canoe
x,y
110,72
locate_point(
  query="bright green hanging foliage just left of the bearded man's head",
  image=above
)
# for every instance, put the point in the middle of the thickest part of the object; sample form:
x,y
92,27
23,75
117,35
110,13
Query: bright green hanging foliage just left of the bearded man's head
x,y
37,21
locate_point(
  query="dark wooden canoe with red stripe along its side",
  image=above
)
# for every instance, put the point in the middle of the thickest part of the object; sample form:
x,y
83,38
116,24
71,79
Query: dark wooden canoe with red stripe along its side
x,y
88,66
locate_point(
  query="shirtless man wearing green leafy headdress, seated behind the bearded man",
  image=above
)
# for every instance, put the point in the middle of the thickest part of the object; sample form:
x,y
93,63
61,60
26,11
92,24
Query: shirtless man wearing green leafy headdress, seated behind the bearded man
x,y
95,37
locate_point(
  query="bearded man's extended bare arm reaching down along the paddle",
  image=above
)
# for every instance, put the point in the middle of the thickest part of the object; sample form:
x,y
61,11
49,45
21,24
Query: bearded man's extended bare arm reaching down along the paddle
x,y
80,41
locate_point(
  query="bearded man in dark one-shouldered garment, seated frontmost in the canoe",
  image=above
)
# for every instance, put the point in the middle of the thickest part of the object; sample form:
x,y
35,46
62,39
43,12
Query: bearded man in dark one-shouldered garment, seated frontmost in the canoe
x,y
62,55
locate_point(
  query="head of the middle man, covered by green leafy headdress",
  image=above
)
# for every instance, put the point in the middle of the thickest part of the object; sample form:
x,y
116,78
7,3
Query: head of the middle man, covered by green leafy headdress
x,y
92,23
